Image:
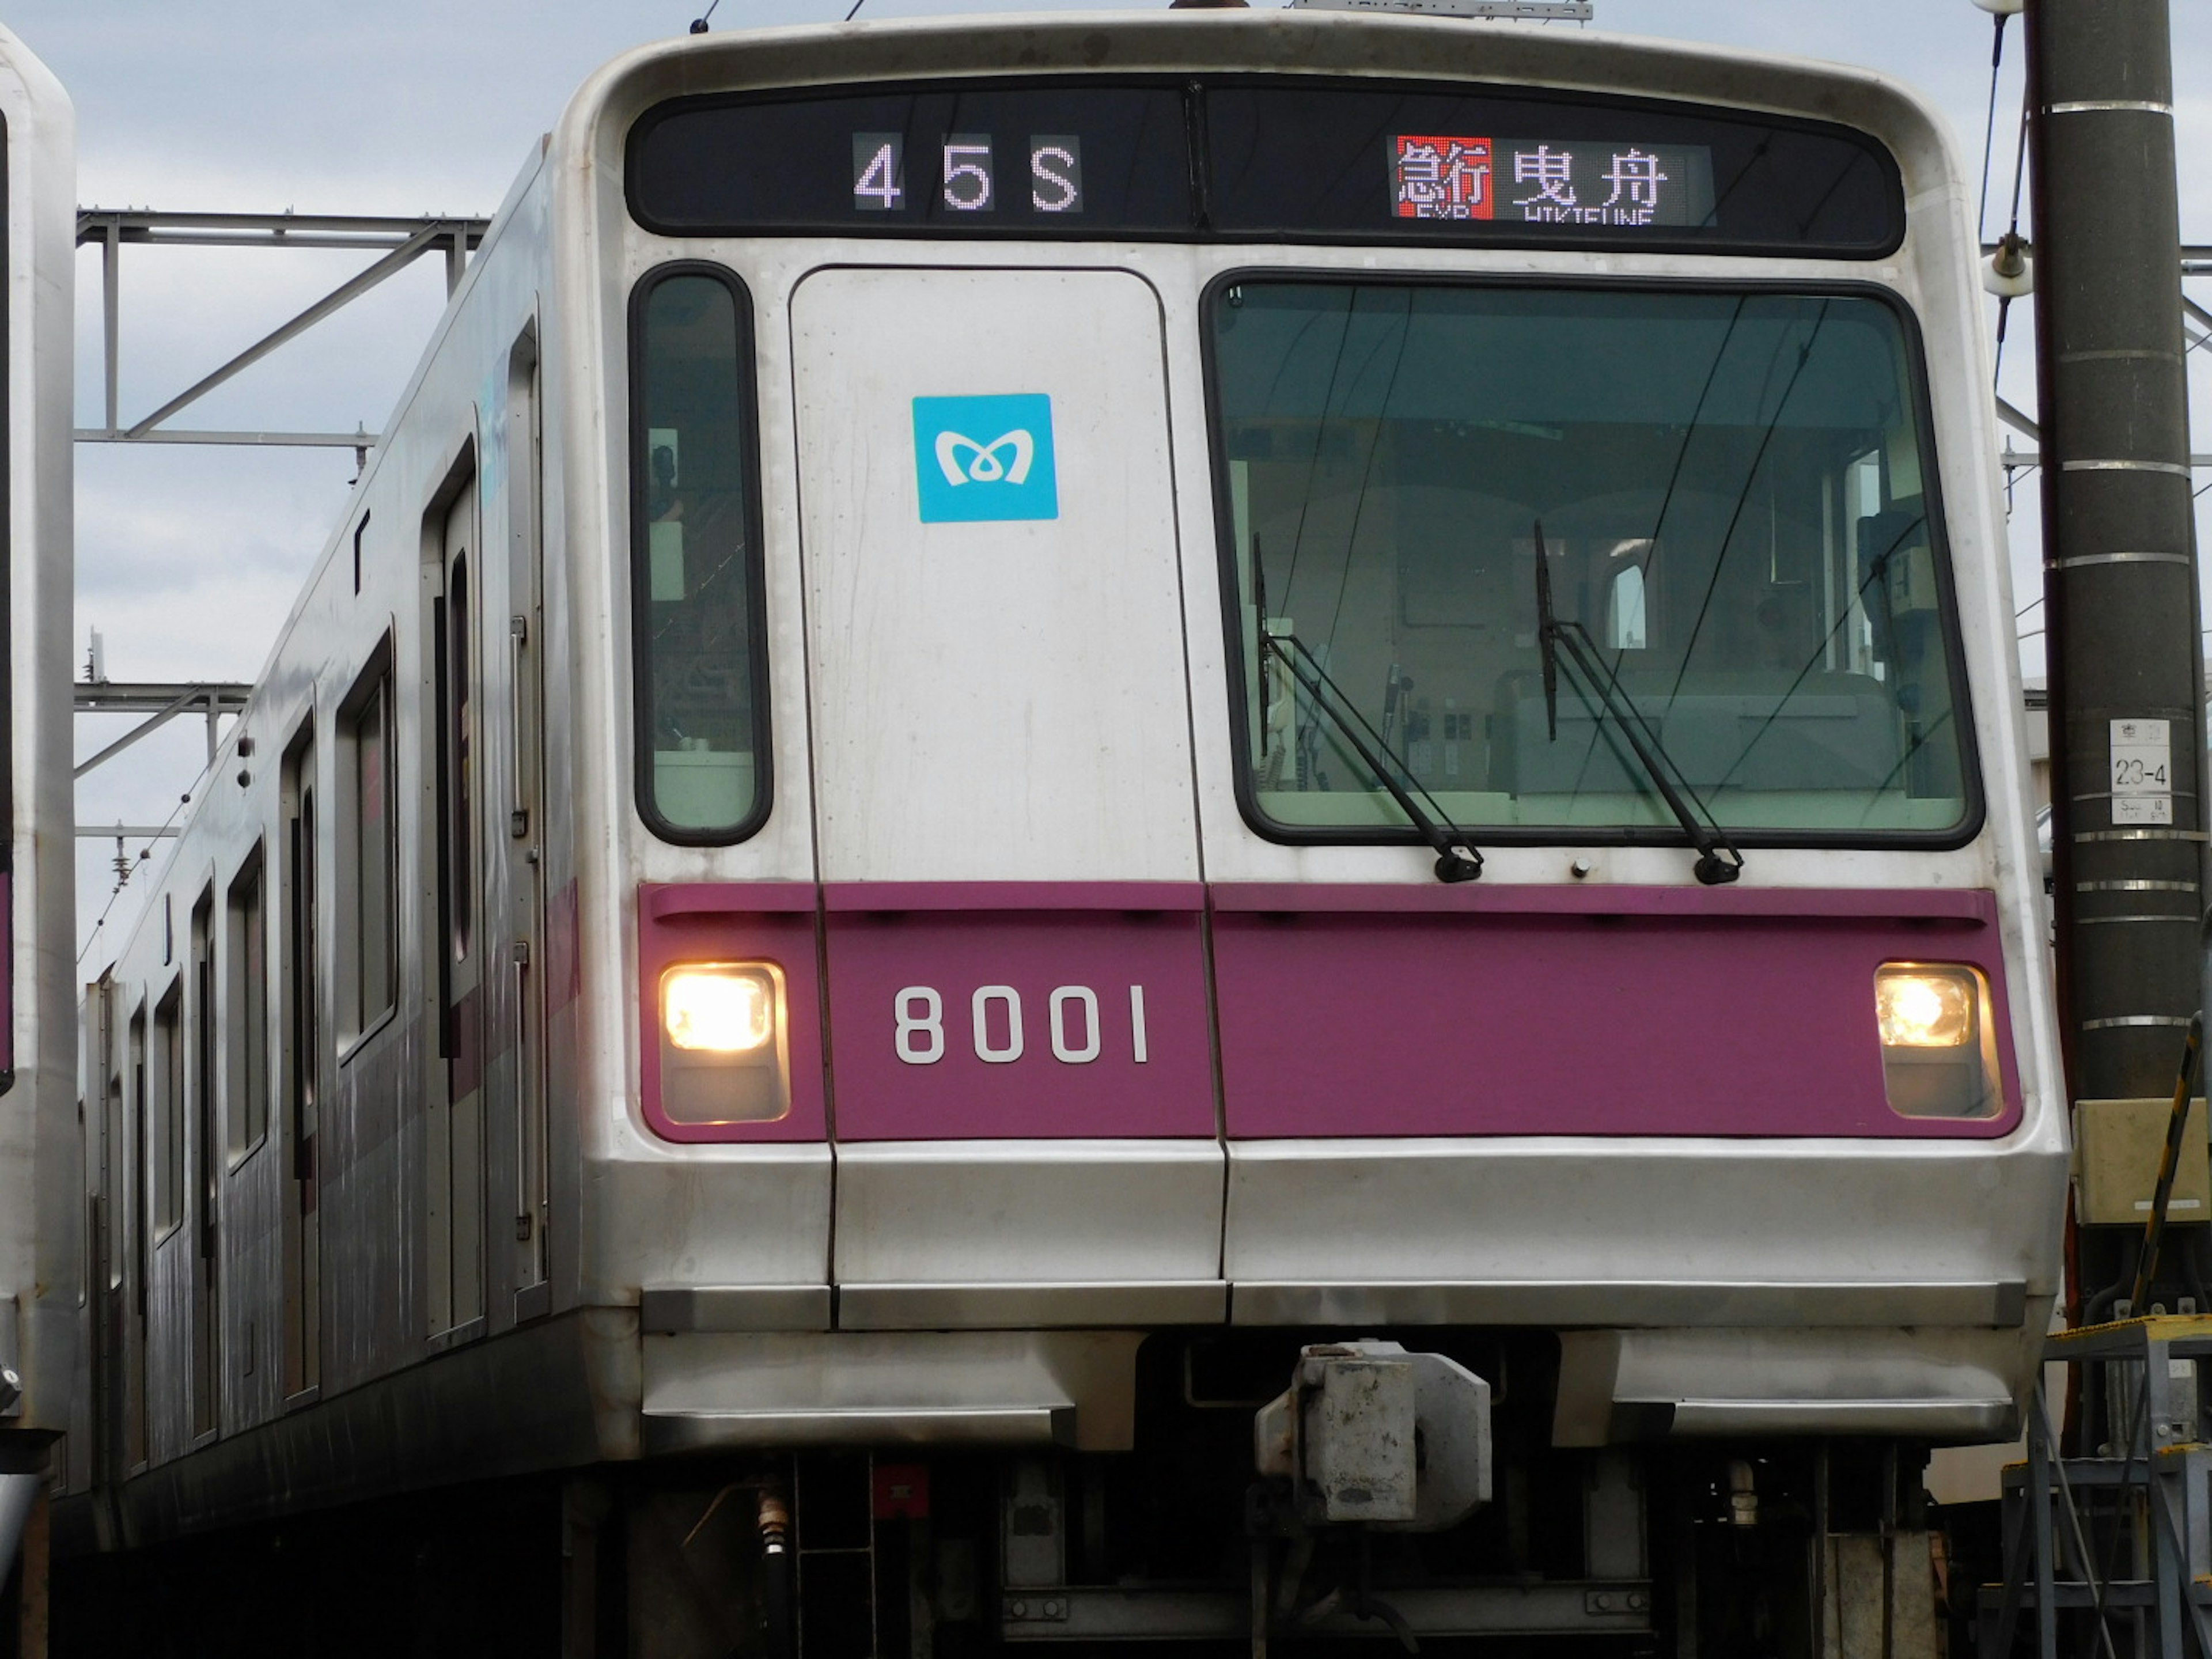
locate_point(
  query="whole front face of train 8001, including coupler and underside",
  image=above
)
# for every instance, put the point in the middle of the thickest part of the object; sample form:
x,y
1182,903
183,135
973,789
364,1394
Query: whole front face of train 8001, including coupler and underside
x,y
1322,824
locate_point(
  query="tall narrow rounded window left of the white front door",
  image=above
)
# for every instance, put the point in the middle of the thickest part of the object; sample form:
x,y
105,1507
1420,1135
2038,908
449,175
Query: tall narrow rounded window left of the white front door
x,y
696,561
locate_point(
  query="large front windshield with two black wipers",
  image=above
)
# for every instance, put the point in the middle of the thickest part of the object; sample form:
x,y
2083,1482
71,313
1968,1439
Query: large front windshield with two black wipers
x,y
1733,510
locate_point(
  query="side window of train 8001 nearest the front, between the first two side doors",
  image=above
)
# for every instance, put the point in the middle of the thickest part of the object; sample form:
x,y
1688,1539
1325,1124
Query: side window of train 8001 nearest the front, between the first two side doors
x,y
368,848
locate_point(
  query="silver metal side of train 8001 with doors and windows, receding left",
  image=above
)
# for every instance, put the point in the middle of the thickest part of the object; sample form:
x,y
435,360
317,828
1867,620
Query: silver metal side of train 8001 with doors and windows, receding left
x,y
346,1167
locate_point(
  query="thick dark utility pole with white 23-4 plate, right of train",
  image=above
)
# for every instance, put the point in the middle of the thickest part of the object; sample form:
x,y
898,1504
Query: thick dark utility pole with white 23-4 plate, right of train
x,y
2120,576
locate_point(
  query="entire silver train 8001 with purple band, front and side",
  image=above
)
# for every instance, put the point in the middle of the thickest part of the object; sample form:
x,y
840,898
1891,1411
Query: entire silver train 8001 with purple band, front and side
x,y
817,1012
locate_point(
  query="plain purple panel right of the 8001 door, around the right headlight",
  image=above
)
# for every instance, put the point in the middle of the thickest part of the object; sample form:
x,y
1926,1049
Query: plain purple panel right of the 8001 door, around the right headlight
x,y
1576,1010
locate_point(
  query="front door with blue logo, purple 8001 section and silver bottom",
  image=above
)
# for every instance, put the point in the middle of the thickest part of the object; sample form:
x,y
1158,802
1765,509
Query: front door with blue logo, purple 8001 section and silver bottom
x,y
1005,804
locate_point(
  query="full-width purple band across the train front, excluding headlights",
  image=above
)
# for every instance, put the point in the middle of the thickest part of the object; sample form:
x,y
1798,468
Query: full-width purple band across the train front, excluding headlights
x,y
1344,1010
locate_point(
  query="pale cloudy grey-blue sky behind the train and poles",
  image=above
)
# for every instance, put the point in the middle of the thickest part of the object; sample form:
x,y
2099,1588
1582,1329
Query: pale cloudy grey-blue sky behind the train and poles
x,y
189,559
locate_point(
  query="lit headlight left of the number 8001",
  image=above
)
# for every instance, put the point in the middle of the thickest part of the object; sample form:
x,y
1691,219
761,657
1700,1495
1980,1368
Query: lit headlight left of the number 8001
x,y
724,1043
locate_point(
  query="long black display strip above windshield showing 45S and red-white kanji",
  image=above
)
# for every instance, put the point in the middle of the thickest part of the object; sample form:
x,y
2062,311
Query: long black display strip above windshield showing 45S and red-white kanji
x,y
1255,158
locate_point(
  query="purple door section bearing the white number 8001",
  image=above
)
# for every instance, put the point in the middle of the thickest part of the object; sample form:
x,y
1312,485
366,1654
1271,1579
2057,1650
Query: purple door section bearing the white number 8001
x,y
1019,1010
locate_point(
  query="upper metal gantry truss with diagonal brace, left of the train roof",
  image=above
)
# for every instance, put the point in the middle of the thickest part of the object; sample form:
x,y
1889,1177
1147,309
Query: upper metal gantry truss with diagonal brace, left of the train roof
x,y
401,242
